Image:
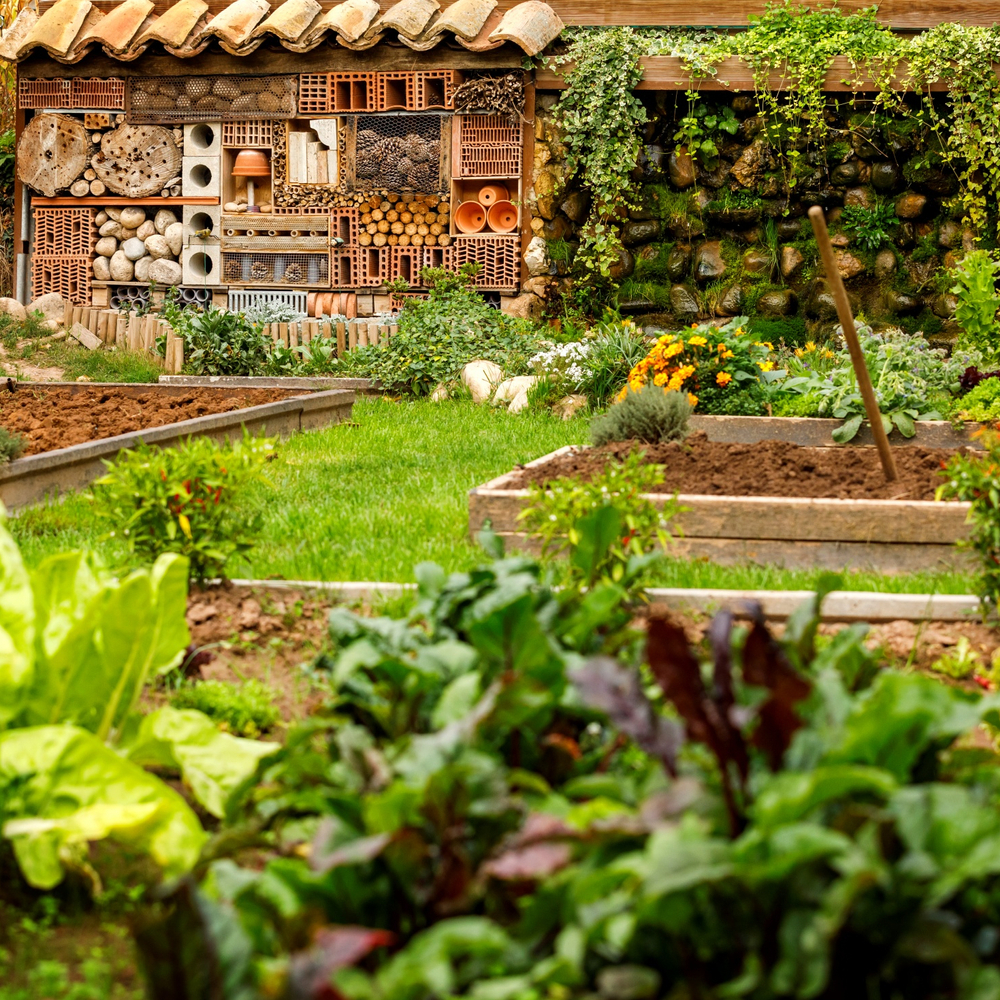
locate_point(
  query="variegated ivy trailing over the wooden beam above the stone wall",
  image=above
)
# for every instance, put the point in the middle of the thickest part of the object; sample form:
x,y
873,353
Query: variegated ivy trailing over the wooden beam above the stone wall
x,y
600,116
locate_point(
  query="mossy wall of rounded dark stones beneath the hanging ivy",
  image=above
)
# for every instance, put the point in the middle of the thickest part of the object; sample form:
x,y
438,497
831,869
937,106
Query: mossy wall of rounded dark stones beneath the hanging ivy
x,y
732,240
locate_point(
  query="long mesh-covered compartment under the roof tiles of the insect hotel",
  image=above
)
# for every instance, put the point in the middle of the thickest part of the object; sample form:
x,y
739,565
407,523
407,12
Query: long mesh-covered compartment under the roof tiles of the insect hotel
x,y
204,98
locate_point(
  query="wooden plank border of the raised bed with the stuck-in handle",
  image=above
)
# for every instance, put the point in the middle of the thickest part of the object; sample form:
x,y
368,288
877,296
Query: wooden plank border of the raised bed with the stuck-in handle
x,y
885,536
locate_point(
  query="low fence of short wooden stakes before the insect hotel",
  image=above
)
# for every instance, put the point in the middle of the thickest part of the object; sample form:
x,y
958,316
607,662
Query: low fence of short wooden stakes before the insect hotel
x,y
140,333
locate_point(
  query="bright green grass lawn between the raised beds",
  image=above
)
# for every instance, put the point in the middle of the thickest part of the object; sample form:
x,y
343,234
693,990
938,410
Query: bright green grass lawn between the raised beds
x,y
370,500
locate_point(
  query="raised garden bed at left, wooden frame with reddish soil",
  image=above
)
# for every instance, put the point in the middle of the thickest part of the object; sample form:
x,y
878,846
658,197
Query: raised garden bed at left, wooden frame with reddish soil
x,y
82,424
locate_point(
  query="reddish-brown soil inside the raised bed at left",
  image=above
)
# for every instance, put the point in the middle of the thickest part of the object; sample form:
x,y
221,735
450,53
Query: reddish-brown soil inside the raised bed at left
x,y
60,417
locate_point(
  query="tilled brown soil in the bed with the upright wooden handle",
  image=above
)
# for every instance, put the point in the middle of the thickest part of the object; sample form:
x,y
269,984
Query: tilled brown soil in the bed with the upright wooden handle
x,y
768,468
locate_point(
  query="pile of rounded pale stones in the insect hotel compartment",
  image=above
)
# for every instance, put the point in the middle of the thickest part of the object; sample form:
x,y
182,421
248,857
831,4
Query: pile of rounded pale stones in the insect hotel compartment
x,y
133,247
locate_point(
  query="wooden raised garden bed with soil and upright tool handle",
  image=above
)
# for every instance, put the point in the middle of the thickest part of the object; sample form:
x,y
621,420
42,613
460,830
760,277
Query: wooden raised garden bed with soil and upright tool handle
x,y
762,503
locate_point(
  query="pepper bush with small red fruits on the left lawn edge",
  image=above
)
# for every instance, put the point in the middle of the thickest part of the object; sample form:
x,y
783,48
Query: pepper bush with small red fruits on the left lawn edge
x,y
181,500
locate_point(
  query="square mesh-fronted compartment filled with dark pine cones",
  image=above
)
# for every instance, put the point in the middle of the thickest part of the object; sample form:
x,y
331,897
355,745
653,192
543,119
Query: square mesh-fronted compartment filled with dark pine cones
x,y
402,152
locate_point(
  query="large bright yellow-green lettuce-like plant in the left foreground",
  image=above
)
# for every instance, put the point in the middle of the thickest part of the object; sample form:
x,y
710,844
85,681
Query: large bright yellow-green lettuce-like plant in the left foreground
x,y
76,648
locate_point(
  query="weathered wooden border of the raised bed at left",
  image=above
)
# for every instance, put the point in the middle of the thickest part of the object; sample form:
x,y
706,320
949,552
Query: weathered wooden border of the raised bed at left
x,y
27,480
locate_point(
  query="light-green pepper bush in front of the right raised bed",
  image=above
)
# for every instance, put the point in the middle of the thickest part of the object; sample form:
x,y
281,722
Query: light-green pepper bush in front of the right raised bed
x,y
560,513
